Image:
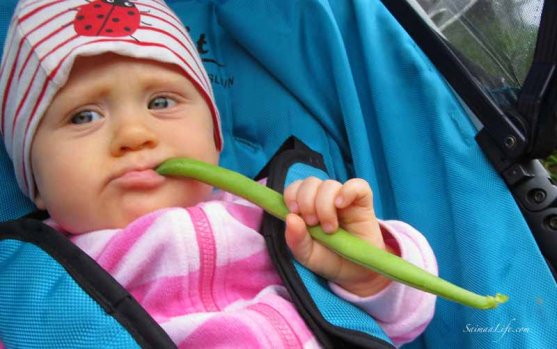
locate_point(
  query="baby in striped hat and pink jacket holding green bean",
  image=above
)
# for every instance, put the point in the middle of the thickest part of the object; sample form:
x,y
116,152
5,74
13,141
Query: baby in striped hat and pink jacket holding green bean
x,y
93,100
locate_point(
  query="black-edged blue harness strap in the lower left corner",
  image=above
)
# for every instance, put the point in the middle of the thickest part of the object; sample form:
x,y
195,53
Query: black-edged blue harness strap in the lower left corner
x,y
55,296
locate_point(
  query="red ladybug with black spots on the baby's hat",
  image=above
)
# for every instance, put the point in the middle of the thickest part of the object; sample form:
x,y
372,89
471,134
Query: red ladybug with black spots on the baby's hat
x,y
113,18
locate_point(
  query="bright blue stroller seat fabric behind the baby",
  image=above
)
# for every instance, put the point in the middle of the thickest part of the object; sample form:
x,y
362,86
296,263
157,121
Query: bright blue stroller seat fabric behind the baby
x,y
345,78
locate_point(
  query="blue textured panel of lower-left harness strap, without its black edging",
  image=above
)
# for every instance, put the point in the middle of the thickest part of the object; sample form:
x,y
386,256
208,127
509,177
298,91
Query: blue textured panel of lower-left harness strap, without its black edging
x,y
77,309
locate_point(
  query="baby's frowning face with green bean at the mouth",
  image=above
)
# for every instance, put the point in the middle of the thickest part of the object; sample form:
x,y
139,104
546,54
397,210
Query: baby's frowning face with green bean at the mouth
x,y
115,120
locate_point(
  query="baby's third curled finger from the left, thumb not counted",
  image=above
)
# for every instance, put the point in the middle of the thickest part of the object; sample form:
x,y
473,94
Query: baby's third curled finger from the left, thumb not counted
x,y
325,205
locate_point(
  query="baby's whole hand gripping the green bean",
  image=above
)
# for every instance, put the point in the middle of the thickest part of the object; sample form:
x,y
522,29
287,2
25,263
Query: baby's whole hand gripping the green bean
x,y
330,204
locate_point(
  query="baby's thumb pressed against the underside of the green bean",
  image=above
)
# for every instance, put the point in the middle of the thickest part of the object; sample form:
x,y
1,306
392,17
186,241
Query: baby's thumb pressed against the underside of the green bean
x,y
298,239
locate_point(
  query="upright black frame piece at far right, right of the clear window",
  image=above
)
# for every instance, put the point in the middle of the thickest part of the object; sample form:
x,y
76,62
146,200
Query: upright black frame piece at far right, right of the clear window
x,y
538,98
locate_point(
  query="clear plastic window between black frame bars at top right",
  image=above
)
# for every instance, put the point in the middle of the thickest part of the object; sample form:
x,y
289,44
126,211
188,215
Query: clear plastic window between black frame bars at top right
x,y
495,38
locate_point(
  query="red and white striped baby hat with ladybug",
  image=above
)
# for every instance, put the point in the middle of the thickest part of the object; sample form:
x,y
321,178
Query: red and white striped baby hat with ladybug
x,y
45,37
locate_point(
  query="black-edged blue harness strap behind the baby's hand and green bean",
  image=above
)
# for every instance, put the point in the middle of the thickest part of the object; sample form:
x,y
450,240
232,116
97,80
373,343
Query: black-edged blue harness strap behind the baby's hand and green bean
x,y
334,321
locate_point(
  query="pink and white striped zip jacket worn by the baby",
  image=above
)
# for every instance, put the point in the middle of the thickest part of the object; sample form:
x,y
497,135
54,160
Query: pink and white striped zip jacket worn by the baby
x,y
204,274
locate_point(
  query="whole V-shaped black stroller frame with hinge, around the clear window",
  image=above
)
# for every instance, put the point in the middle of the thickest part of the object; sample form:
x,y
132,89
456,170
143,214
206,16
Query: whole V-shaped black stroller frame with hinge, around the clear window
x,y
508,138
